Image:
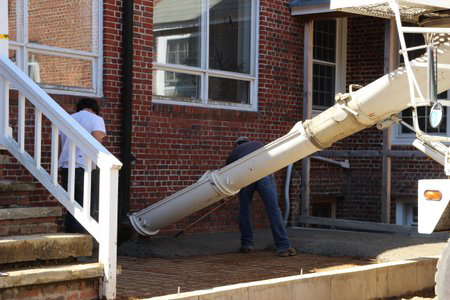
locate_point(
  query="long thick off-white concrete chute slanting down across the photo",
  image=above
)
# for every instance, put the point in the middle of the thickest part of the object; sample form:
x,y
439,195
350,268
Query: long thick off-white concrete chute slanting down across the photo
x,y
353,112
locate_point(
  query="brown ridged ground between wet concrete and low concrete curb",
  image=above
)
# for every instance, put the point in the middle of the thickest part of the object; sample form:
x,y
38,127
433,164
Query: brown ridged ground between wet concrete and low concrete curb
x,y
150,277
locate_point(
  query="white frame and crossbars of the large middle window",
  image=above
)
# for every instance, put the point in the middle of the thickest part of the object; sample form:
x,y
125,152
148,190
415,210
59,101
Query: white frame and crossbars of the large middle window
x,y
204,72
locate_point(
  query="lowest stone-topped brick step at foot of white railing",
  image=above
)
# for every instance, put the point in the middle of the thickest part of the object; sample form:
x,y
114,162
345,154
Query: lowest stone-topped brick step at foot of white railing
x,y
48,282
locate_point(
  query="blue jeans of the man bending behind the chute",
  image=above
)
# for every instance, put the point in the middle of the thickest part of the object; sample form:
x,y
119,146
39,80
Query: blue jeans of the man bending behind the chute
x,y
267,191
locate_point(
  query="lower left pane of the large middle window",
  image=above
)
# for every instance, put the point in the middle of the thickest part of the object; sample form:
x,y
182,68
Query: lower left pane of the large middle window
x,y
169,85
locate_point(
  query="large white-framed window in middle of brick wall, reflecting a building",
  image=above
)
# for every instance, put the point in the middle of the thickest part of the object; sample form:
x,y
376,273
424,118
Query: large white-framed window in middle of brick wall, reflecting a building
x,y
205,53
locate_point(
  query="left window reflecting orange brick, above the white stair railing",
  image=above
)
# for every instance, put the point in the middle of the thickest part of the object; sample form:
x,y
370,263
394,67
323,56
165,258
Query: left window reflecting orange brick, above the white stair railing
x,y
64,58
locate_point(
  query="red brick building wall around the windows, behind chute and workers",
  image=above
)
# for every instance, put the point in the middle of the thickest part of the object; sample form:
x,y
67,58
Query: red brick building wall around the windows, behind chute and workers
x,y
174,145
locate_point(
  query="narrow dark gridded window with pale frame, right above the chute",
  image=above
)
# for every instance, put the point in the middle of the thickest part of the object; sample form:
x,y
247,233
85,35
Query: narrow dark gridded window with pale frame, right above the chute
x,y
329,59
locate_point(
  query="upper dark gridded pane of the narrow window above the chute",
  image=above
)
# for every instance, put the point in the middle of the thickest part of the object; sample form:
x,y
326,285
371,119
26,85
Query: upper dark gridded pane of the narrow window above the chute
x,y
324,48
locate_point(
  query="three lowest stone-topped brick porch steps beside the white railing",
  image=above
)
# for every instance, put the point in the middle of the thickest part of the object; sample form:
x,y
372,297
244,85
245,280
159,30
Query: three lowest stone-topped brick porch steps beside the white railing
x,y
46,265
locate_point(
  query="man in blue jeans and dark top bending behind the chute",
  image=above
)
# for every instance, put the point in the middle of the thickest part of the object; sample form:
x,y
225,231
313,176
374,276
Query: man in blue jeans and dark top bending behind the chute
x,y
267,190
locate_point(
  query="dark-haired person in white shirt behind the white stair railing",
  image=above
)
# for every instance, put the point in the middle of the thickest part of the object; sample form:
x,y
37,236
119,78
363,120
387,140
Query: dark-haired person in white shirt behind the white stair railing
x,y
87,115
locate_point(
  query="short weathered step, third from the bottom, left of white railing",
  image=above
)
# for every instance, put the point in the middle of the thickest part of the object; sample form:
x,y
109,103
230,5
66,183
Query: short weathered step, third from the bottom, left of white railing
x,y
29,220
